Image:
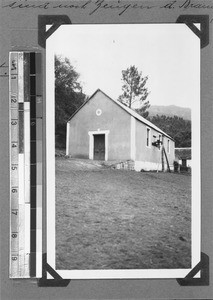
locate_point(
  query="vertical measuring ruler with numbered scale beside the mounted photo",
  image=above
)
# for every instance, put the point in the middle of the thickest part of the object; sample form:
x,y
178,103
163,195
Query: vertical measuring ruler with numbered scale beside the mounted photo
x,y
25,165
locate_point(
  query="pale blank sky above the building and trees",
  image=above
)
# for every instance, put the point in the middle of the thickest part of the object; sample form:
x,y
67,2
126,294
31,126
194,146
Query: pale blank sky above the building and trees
x,y
169,54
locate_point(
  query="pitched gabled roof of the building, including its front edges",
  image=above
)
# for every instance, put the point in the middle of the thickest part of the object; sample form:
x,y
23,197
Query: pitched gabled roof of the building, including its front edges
x,y
127,109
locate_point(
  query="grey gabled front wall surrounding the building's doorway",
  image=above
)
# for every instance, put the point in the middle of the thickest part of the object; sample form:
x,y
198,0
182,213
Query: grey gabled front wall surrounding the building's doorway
x,y
112,118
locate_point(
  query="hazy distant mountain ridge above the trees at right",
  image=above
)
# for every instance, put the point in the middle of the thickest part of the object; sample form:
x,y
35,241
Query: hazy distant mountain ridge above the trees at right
x,y
170,110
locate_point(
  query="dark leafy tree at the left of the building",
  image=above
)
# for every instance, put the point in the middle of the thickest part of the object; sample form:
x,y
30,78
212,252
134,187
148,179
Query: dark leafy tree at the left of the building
x,y
68,96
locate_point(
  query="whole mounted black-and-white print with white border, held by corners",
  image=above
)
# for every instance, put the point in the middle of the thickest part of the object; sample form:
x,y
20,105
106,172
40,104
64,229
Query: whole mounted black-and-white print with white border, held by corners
x,y
123,150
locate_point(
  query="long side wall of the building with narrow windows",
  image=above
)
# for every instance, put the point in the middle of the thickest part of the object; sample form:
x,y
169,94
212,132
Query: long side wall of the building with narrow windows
x,y
147,156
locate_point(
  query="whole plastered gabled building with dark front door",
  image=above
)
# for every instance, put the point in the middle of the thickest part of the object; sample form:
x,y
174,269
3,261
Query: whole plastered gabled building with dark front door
x,y
104,129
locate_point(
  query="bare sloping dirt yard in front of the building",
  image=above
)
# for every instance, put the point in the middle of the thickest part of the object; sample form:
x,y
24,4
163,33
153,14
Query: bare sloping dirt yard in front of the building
x,y
118,219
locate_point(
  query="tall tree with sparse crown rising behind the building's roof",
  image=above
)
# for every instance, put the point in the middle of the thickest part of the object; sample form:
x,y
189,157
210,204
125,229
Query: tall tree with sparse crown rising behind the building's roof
x,y
134,89
